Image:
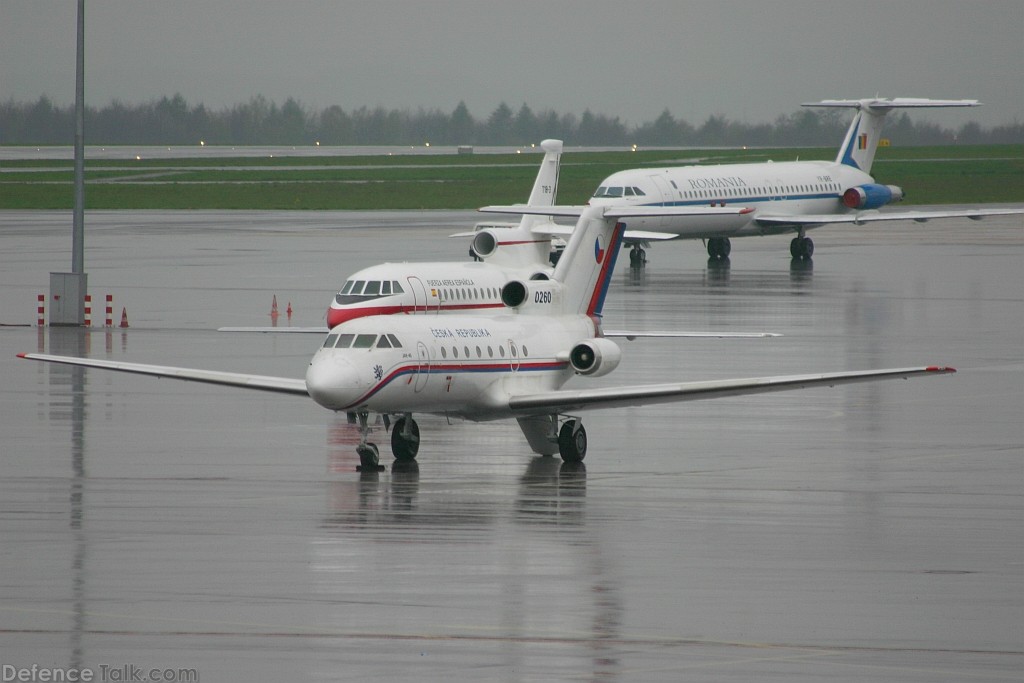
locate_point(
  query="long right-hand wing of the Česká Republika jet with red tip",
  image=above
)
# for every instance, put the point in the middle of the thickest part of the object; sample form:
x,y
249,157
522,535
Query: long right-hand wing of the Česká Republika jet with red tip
x,y
566,401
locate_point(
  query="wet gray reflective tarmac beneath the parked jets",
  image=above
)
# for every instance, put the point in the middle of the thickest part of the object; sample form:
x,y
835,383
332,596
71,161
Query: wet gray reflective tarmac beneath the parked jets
x,y
870,533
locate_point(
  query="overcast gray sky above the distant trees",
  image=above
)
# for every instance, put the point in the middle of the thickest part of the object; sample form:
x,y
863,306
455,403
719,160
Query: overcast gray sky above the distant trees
x,y
631,59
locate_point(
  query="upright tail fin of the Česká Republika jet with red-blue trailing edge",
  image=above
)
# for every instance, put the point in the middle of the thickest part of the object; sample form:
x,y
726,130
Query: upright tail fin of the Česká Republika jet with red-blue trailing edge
x,y
586,267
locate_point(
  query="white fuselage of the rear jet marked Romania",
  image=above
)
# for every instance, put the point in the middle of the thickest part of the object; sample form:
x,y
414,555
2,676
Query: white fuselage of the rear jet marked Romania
x,y
786,188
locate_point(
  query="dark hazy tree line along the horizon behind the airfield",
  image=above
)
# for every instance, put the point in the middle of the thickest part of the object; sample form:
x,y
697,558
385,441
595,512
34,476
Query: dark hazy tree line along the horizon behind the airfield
x,y
174,121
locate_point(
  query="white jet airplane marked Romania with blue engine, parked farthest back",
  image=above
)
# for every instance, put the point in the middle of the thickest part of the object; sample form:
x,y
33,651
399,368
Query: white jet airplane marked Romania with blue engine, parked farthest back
x,y
778,198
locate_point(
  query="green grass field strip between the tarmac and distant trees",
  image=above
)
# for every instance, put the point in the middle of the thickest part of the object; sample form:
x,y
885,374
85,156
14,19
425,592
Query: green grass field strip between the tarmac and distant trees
x,y
928,176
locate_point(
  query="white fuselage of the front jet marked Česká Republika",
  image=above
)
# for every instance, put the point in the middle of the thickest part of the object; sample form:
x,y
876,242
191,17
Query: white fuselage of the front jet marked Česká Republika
x,y
463,366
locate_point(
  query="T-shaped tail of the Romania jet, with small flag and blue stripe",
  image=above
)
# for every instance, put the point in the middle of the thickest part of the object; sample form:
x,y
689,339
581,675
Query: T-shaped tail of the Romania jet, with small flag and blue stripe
x,y
866,131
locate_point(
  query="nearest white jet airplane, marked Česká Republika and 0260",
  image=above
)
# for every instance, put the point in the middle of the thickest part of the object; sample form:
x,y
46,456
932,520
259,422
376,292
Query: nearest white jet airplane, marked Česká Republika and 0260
x,y
493,367
